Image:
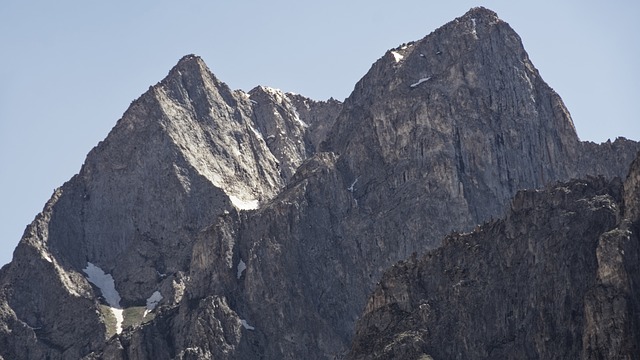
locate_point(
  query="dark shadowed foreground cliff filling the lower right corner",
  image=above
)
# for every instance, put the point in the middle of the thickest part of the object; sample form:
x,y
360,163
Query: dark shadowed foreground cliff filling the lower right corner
x,y
556,279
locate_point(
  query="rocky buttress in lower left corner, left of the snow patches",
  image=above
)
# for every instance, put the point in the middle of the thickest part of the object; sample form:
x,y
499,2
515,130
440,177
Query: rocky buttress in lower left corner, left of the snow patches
x,y
47,310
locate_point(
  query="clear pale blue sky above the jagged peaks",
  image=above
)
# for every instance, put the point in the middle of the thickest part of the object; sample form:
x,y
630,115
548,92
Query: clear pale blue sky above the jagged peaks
x,y
69,69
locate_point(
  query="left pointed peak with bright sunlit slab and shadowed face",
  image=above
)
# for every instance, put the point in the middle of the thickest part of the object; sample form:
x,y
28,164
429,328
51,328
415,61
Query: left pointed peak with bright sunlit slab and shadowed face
x,y
180,155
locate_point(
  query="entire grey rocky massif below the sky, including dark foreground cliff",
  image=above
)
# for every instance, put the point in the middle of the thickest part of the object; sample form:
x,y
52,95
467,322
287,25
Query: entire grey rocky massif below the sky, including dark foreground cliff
x,y
218,224
